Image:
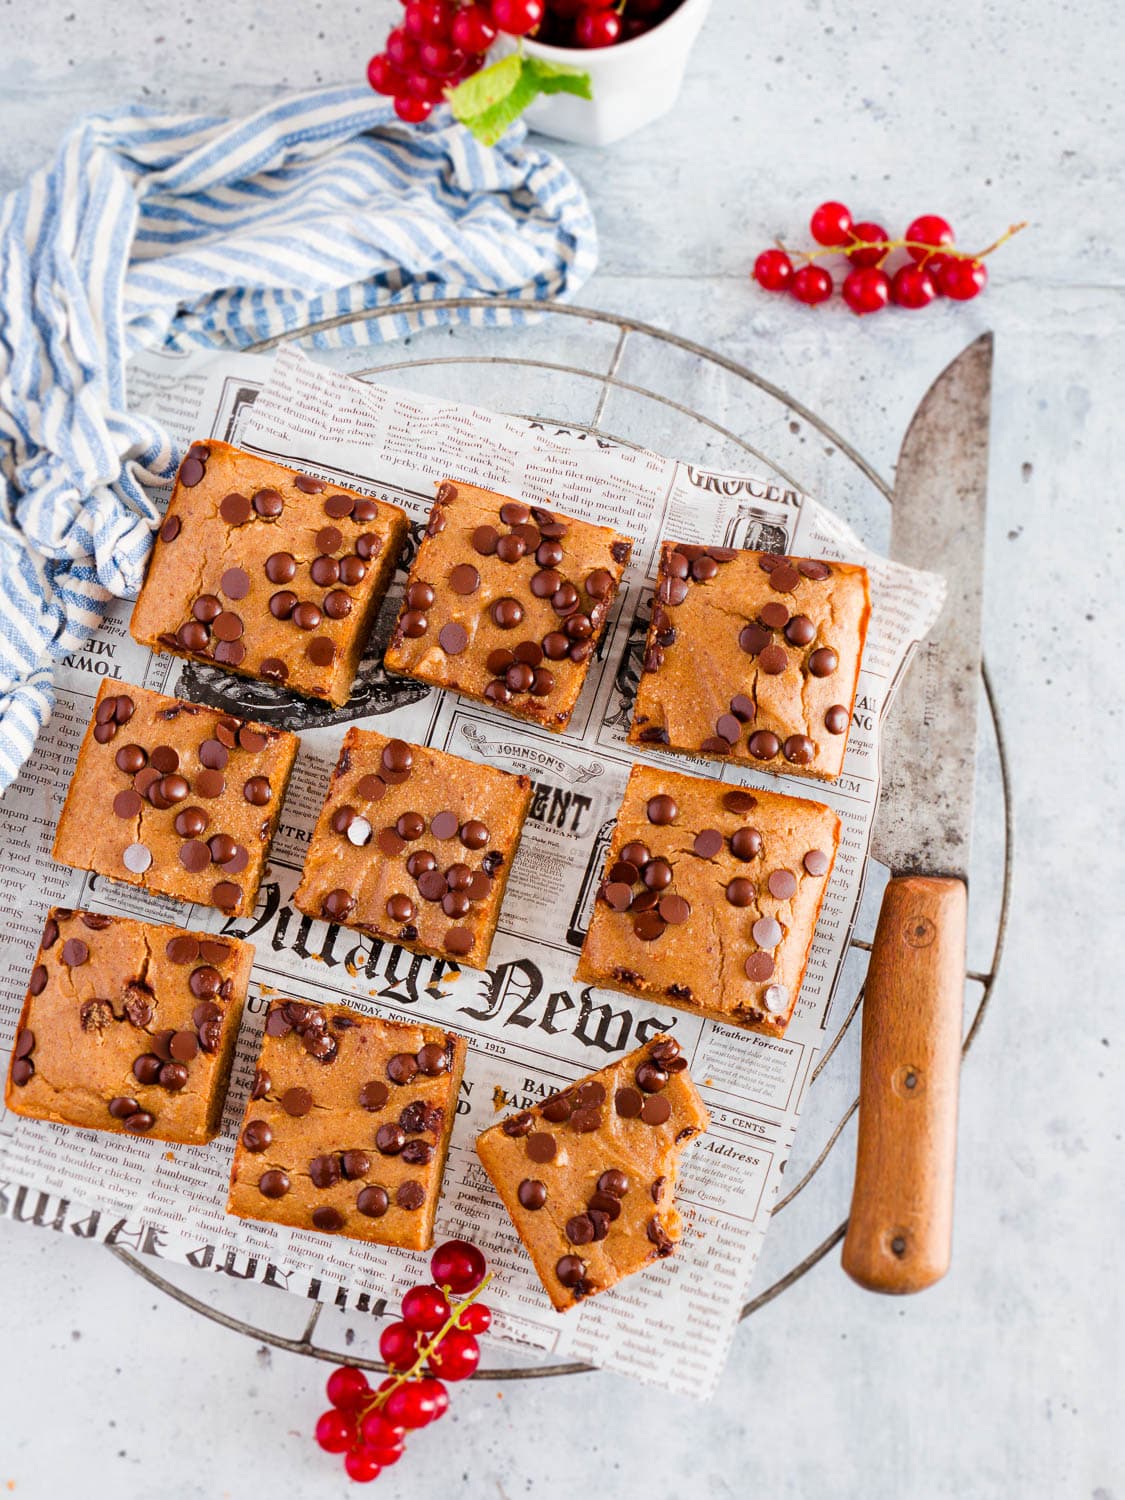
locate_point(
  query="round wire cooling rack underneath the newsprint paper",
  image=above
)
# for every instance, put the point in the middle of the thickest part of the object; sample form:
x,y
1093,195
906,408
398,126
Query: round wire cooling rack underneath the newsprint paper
x,y
623,382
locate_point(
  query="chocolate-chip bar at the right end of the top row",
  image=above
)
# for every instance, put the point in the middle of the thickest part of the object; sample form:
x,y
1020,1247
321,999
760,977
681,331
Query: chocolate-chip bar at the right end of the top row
x,y
752,658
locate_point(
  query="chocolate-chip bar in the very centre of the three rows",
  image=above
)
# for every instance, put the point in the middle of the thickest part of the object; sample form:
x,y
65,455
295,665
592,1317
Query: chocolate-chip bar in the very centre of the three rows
x,y
415,845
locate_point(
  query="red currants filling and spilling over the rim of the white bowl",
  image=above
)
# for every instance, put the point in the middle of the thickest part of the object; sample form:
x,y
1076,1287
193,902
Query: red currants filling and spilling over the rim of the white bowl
x,y
442,43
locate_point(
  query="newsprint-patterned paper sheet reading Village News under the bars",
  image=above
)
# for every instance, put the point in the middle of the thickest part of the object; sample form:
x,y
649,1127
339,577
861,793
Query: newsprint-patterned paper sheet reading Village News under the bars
x,y
530,1027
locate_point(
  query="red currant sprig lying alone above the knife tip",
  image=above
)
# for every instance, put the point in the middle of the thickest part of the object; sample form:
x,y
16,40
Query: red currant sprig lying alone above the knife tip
x,y
934,266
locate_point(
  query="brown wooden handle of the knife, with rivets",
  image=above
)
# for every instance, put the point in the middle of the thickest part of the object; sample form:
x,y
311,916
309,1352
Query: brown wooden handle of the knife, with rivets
x,y
901,1228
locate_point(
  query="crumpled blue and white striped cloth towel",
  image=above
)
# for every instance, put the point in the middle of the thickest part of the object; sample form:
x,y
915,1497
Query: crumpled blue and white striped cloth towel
x,y
185,232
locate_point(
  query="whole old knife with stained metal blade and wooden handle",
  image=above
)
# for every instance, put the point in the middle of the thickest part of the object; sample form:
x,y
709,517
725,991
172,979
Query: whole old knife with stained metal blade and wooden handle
x,y
901,1226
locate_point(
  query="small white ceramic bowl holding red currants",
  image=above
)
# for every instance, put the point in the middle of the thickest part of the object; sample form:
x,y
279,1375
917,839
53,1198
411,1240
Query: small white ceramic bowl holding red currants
x,y
634,83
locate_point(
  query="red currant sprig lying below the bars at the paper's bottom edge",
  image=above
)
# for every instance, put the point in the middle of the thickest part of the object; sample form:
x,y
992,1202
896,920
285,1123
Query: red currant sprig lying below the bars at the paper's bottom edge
x,y
434,1342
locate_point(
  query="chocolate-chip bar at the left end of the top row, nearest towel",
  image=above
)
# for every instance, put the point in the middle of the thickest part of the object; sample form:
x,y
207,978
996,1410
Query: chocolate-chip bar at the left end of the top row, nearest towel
x,y
268,572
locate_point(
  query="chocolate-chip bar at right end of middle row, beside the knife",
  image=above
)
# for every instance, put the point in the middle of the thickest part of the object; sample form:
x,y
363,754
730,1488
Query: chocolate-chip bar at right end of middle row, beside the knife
x,y
710,898
